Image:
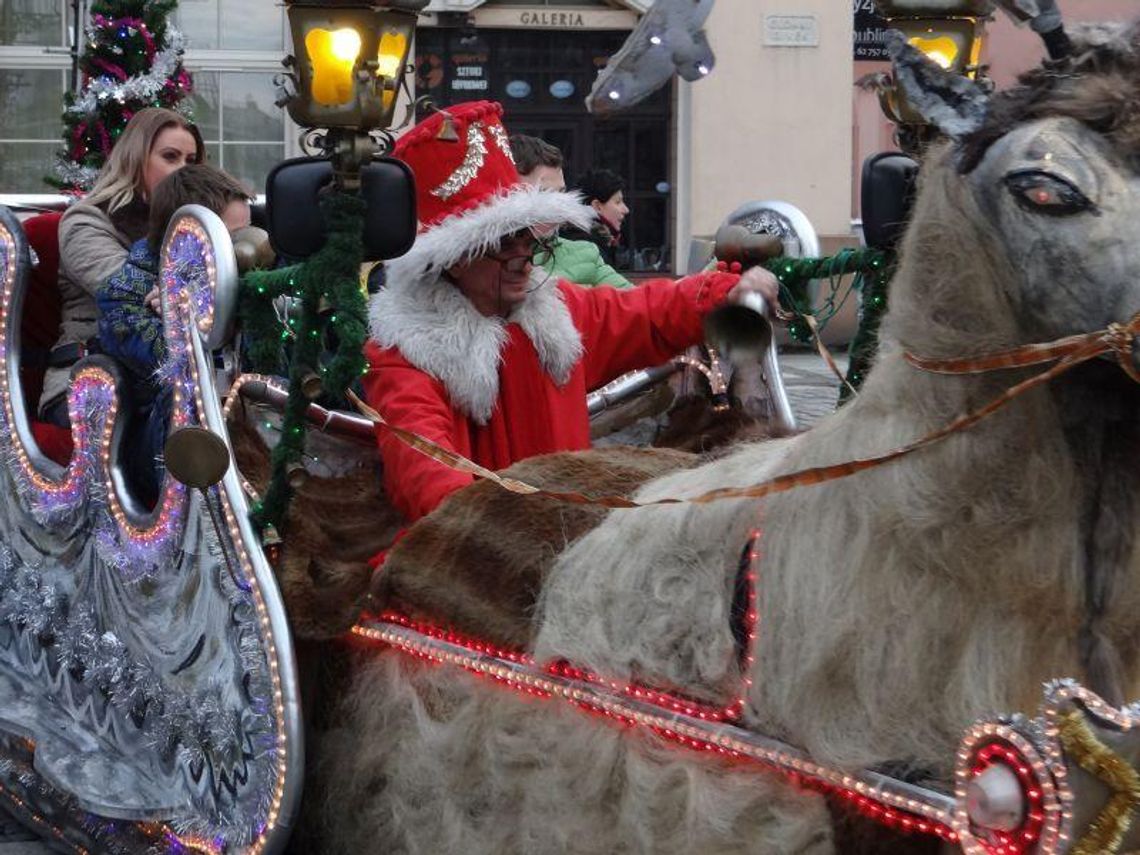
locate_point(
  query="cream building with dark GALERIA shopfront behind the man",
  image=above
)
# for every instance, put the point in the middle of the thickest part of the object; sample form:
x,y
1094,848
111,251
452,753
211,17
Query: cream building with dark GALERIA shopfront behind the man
x,y
773,121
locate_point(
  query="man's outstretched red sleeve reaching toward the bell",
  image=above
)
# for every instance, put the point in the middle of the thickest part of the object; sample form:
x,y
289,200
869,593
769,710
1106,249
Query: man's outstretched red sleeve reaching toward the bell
x,y
642,327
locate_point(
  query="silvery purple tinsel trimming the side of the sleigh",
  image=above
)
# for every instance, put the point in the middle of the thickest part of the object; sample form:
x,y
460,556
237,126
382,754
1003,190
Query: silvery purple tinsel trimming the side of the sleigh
x,y
189,726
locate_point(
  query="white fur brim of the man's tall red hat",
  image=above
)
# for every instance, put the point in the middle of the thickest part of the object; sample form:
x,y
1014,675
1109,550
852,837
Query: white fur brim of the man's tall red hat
x,y
474,233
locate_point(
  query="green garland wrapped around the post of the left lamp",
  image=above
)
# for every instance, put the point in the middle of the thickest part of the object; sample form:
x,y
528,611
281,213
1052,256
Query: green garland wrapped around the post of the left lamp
x,y
333,313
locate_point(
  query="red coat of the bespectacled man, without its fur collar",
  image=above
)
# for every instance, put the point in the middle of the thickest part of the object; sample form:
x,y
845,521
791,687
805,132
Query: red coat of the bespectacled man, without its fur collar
x,y
621,331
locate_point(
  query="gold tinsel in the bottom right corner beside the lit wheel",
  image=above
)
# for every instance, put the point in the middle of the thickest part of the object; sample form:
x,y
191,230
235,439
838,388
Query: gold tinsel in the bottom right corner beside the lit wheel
x,y
1106,834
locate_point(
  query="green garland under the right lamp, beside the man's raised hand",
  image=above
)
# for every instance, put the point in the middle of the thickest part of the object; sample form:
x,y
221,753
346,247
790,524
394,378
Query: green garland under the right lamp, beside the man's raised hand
x,y
873,273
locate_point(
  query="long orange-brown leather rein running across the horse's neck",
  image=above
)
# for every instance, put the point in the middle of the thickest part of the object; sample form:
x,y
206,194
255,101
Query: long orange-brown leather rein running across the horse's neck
x,y
1068,353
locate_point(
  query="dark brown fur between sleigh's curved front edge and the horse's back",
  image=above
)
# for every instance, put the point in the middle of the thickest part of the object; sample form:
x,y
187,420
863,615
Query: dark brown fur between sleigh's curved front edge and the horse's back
x,y
335,526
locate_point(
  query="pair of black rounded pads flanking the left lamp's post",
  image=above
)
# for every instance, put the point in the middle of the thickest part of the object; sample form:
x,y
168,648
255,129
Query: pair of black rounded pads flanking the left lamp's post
x,y
297,230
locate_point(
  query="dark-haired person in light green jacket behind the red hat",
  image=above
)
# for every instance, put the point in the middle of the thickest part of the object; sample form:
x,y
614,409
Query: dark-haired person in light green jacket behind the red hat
x,y
579,262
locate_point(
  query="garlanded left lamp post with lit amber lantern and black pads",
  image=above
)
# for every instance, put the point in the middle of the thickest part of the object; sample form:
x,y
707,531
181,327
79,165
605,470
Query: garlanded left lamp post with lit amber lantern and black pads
x,y
351,58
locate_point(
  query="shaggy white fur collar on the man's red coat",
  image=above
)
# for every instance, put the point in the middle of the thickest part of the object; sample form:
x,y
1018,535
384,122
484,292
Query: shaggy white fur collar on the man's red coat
x,y
441,332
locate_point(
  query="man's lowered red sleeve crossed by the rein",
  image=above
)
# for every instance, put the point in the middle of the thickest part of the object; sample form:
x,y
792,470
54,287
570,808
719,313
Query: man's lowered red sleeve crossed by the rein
x,y
411,400
